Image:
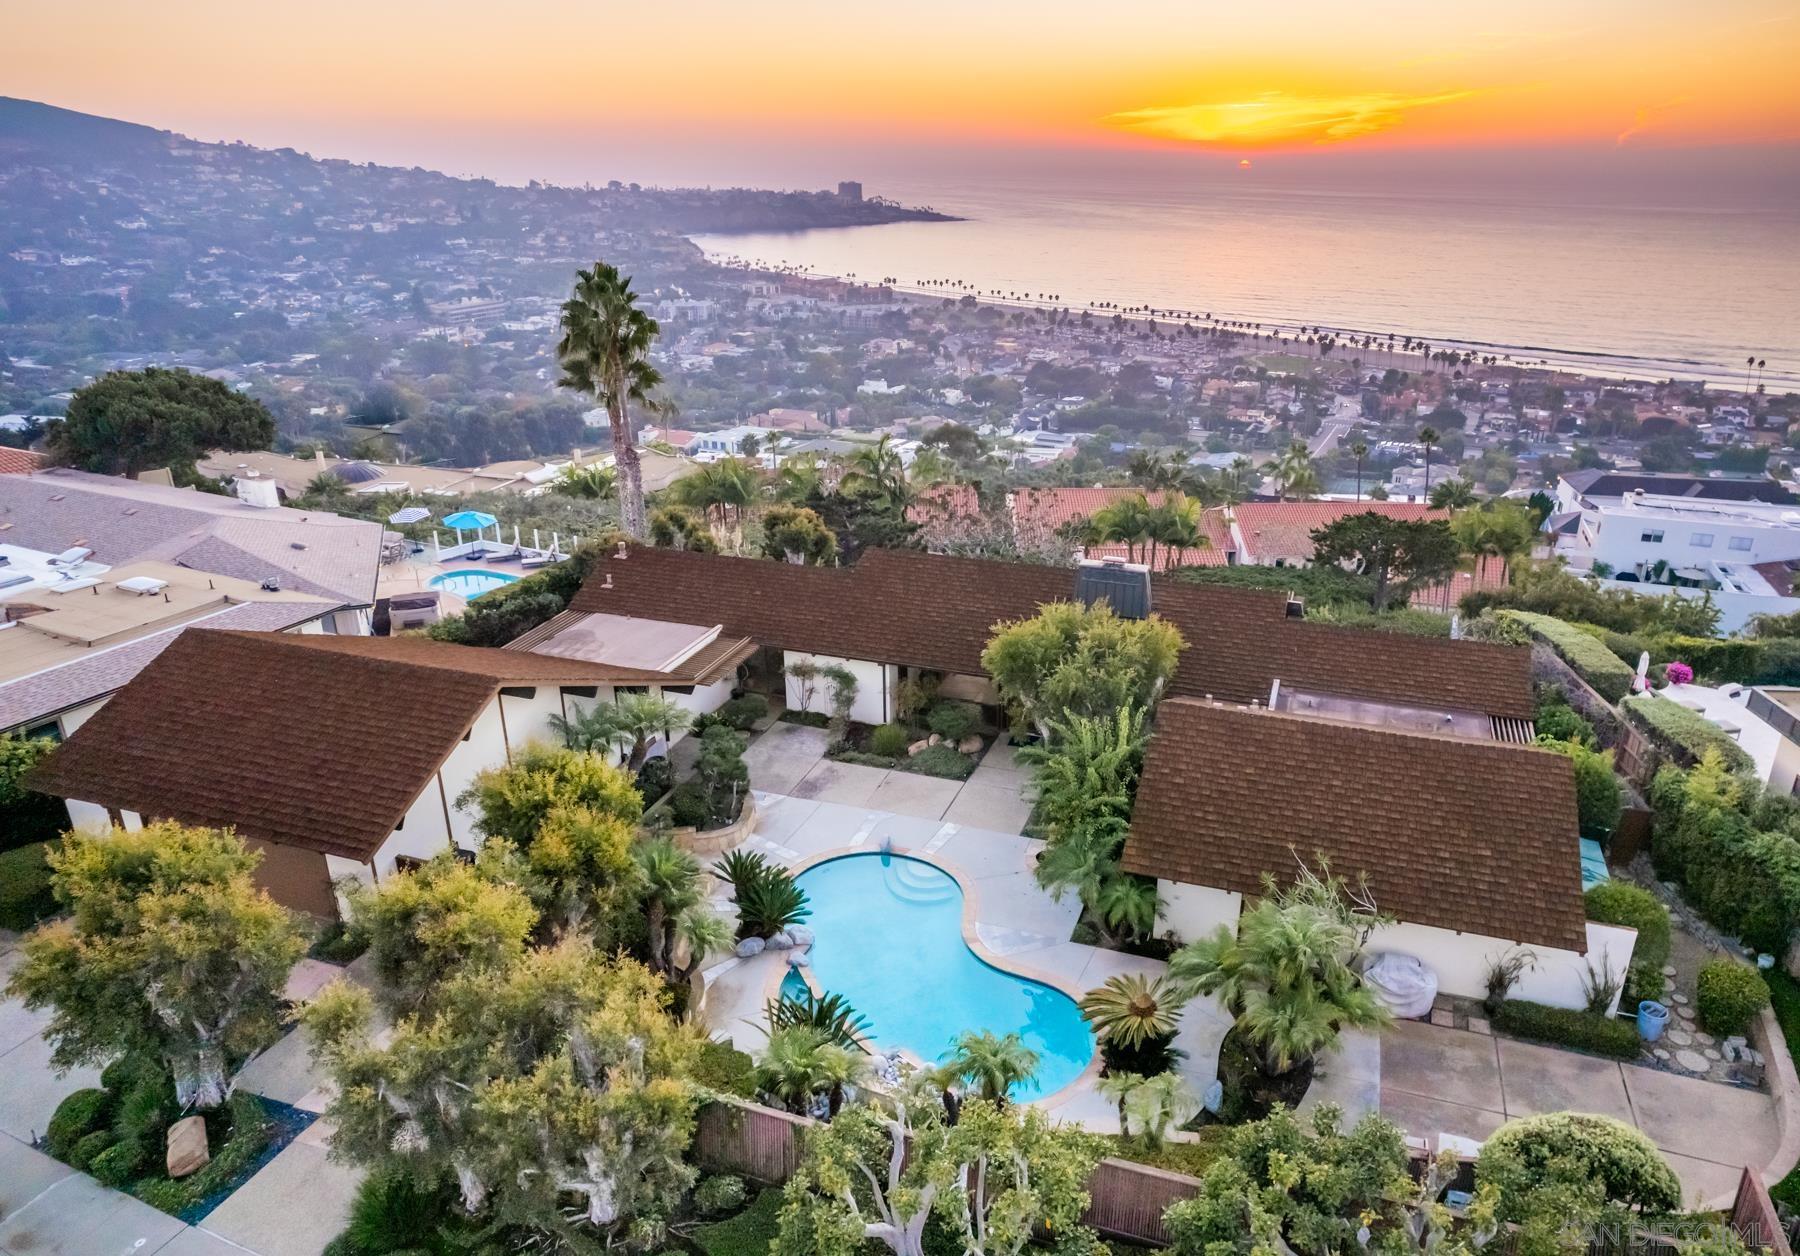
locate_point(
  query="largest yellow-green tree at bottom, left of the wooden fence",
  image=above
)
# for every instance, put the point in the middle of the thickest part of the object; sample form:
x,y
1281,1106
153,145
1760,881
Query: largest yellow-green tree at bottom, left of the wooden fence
x,y
550,1079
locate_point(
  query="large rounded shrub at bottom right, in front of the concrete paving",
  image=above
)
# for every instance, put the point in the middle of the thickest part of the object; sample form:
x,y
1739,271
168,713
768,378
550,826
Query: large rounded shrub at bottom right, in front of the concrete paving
x,y
1563,1151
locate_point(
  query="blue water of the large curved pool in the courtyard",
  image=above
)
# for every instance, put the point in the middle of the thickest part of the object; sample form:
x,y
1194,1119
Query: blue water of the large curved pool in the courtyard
x,y
890,938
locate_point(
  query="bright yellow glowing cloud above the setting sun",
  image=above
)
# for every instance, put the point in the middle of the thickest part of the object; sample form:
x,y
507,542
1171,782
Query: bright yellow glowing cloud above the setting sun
x,y
1279,118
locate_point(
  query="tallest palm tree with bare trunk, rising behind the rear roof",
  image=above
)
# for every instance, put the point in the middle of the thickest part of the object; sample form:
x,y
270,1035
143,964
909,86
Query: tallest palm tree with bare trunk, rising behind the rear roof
x,y
606,354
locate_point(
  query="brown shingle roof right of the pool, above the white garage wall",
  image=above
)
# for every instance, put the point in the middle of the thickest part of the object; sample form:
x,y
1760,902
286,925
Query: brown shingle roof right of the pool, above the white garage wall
x,y
1470,836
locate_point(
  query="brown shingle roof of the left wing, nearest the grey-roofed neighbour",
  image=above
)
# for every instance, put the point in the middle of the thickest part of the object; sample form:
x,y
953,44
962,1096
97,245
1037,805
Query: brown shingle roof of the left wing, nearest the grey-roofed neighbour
x,y
310,740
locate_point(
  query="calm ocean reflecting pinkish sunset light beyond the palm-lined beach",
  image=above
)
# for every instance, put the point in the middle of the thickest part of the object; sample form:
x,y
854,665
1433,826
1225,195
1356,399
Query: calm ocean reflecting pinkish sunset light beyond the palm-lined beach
x,y
1626,282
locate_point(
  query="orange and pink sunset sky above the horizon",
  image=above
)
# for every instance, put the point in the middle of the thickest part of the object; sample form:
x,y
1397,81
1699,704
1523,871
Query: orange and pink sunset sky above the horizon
x,y
541,87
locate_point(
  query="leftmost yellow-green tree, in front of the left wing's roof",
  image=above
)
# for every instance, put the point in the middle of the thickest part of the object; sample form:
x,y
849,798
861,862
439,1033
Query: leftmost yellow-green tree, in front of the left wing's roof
x,y
170,951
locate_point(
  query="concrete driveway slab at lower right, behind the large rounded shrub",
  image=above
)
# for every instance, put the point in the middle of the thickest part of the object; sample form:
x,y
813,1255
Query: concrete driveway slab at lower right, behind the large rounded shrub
x,y
1437,1081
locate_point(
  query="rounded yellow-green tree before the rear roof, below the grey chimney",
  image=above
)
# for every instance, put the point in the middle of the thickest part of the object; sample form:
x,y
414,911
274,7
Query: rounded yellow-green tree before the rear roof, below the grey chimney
x,y
1074,661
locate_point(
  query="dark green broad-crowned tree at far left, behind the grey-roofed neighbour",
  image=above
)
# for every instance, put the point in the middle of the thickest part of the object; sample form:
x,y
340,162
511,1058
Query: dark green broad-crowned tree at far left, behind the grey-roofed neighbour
x,y
130,422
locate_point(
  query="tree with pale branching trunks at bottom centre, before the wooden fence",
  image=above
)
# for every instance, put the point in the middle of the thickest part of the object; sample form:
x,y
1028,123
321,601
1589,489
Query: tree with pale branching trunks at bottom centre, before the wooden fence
x,y
886,1176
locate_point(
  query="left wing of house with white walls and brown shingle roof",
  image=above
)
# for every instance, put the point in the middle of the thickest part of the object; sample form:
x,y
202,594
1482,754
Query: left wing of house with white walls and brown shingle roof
x,y
336,757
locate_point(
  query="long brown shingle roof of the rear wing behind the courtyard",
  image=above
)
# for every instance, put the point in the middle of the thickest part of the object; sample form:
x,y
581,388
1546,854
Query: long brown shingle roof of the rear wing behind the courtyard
x,y
933,611
